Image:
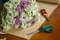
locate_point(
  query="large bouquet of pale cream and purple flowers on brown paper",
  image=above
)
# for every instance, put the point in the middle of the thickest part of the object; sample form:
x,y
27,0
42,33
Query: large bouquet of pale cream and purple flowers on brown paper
x,y
19,14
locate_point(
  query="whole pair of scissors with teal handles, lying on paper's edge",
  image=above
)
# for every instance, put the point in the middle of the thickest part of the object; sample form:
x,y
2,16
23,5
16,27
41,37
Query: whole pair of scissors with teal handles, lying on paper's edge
x,y
46,28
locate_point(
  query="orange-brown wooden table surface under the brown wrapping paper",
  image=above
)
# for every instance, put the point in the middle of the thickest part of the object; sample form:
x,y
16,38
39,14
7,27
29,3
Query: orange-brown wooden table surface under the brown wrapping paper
x,y
54,22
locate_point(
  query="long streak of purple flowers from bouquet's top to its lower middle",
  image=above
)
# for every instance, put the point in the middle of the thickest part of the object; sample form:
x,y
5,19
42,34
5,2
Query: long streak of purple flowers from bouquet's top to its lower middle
x,y
23,4
